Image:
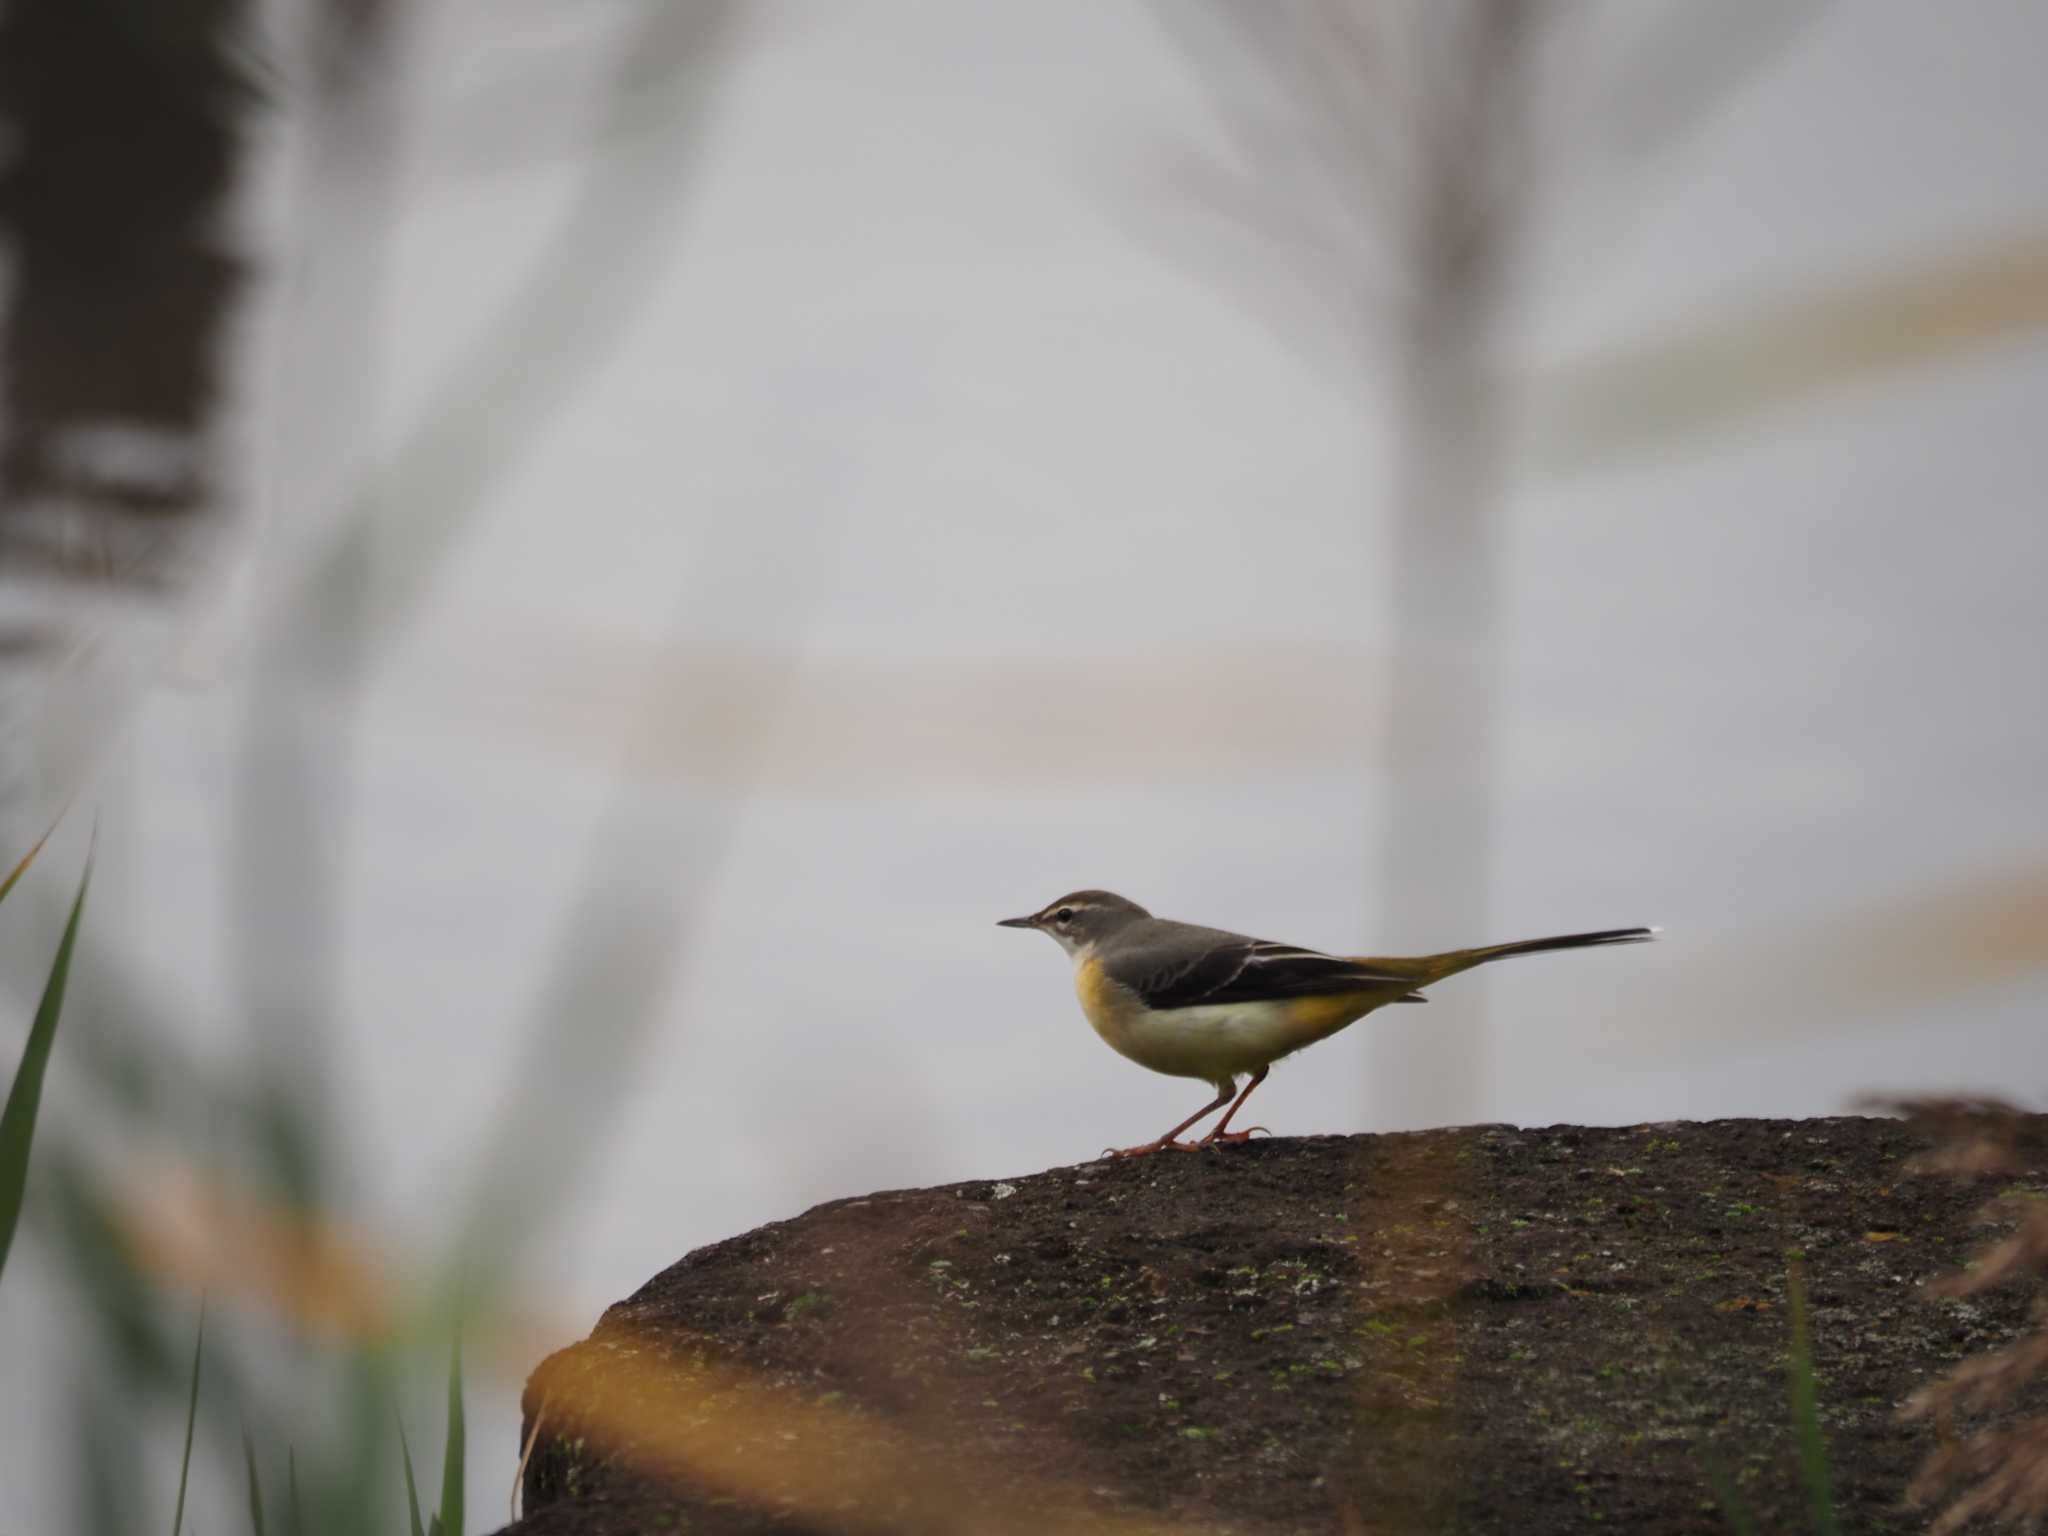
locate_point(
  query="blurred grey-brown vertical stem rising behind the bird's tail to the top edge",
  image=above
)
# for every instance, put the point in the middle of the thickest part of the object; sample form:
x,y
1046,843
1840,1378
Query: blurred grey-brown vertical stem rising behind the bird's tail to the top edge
x,y
1441,726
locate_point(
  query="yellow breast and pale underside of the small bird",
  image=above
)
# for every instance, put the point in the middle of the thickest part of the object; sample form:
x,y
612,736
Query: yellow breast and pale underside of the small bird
x,y
1220,1041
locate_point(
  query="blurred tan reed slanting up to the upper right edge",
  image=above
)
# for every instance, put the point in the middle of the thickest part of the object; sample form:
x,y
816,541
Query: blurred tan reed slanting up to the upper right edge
x,y
1787,351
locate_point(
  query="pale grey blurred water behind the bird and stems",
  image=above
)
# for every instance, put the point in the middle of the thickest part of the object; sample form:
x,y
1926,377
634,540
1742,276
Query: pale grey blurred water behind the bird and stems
x,y
1050,562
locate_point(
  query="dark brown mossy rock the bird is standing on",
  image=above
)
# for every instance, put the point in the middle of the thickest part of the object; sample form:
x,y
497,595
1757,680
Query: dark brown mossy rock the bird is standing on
x,y
1482,1330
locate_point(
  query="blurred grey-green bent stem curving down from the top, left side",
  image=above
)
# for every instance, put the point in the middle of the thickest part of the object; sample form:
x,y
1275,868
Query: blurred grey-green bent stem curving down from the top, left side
x,y
566,318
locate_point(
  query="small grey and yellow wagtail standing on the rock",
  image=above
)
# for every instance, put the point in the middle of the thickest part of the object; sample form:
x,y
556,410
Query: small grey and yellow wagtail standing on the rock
x,y
1209,1005
